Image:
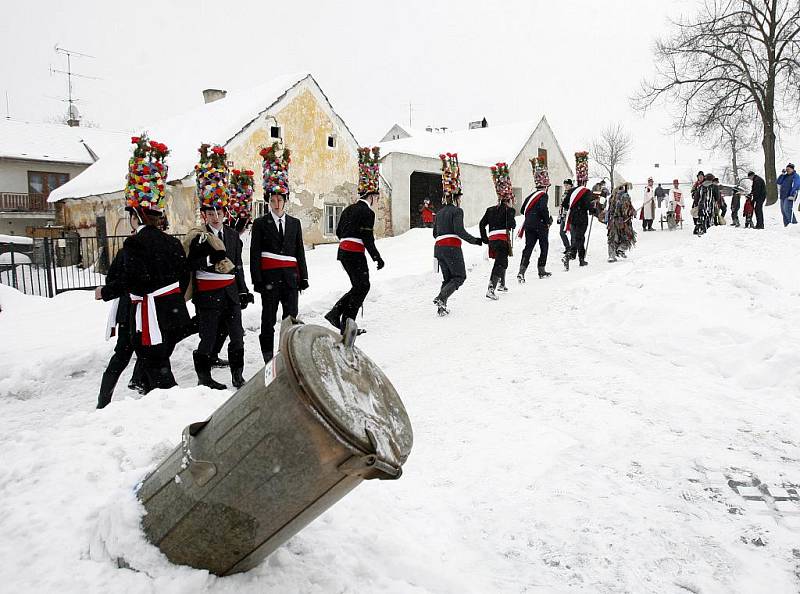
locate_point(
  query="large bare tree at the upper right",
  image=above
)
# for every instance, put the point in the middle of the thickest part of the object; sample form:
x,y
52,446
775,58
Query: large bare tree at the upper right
x,y
732,55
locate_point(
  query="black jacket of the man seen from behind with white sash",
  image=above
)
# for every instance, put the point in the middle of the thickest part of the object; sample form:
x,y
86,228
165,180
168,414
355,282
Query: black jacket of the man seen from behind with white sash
x,y
152,260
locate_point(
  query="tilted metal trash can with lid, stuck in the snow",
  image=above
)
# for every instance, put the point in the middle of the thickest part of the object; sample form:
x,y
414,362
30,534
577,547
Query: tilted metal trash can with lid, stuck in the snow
x,y
316,421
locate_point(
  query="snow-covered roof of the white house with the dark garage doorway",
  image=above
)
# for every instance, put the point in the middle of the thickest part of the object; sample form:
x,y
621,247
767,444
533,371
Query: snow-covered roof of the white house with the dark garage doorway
x,y
480,146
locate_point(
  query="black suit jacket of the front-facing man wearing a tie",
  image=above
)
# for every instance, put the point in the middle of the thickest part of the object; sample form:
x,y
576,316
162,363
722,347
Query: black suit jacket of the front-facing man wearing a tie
x,y
265,238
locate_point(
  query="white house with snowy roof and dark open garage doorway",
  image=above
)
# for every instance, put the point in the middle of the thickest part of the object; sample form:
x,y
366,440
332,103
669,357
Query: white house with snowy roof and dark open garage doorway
x,y
412,168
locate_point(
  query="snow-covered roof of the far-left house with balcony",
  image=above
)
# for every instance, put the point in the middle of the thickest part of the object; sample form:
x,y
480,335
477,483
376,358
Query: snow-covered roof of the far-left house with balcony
x,y
54,142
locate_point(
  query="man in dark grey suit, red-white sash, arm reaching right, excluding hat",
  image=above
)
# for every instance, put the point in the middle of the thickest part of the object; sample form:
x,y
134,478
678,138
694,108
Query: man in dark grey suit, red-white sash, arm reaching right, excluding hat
x,y
448,230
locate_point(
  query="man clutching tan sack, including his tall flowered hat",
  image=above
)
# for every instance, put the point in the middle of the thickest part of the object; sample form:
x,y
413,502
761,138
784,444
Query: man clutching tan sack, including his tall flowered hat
x,y
219,290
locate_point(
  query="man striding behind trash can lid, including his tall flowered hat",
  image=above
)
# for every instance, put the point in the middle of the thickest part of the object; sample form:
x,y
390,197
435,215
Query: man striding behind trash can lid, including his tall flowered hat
x,y
356,236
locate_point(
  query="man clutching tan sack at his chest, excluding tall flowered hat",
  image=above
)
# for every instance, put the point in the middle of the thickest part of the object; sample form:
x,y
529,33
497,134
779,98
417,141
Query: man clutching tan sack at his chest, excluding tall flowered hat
x,y
219,297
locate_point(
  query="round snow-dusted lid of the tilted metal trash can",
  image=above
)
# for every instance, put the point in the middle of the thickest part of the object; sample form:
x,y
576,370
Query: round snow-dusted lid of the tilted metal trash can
x,y
350,392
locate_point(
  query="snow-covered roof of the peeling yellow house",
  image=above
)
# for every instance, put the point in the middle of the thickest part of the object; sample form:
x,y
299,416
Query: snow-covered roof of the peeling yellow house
x,y
216,123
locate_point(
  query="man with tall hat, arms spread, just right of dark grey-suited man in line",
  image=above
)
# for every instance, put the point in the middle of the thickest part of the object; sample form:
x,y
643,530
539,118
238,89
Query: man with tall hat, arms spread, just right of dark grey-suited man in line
x,y
500,221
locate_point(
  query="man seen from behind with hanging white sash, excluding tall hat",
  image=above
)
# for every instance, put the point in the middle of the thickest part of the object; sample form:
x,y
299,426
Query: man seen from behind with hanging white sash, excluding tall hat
x,y
156,275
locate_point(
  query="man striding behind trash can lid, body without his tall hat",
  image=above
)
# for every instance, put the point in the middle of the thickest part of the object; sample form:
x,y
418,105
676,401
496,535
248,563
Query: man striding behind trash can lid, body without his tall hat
x,y
355,233
